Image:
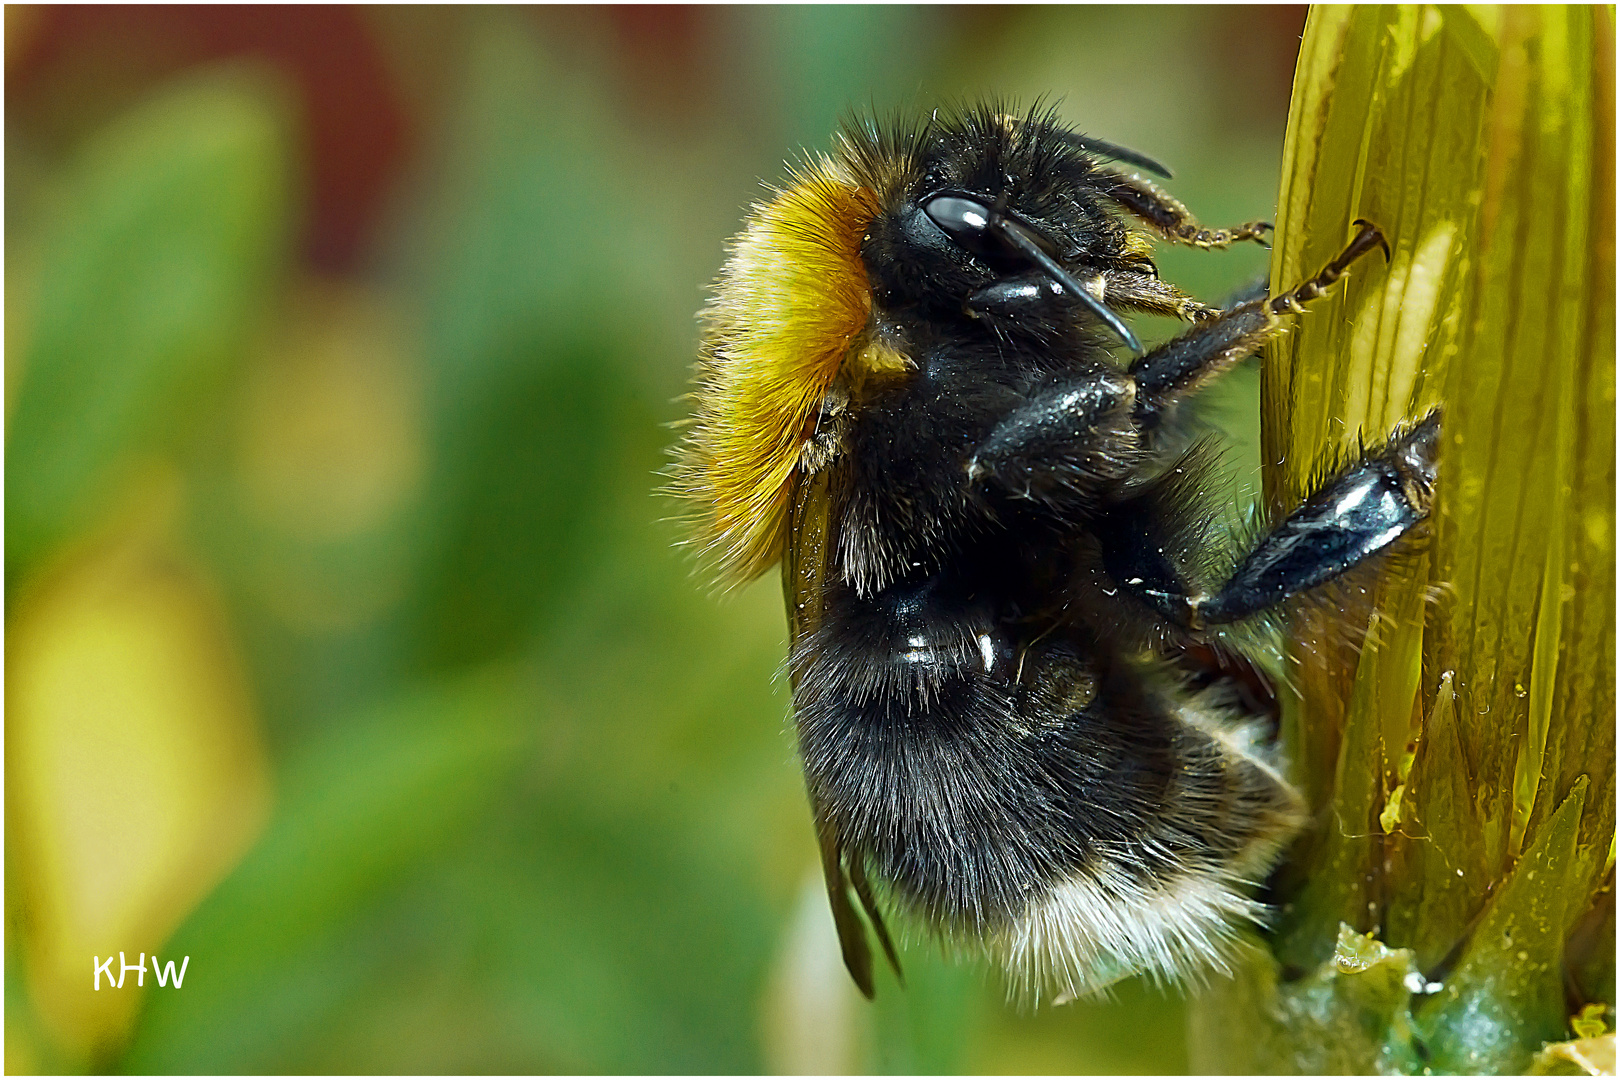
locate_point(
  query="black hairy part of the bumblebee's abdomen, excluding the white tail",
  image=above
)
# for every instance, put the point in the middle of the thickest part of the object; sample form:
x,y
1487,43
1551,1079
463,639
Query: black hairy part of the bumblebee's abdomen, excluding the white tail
x,y
976,768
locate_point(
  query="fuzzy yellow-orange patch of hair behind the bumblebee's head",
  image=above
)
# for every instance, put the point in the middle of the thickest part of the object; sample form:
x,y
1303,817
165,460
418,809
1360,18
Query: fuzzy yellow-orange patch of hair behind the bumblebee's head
x,y
791,307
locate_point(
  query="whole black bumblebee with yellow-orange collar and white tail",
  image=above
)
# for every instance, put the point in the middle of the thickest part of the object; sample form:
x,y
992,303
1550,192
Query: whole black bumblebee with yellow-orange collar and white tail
x,y
994,548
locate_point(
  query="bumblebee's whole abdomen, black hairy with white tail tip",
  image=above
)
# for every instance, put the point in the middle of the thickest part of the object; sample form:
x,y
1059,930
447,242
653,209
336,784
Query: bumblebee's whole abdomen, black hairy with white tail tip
x,y
1054,804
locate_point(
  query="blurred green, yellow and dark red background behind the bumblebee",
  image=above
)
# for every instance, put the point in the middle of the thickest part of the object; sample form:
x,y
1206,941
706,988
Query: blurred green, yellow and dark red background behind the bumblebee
x,y
349,648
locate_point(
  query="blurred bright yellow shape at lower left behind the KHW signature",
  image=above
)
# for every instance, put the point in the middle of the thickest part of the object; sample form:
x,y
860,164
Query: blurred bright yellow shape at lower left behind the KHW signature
x,y
135,773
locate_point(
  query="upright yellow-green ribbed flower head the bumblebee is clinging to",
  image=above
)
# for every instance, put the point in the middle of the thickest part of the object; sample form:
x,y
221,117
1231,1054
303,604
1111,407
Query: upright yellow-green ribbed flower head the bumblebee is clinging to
x,y
1454,715
